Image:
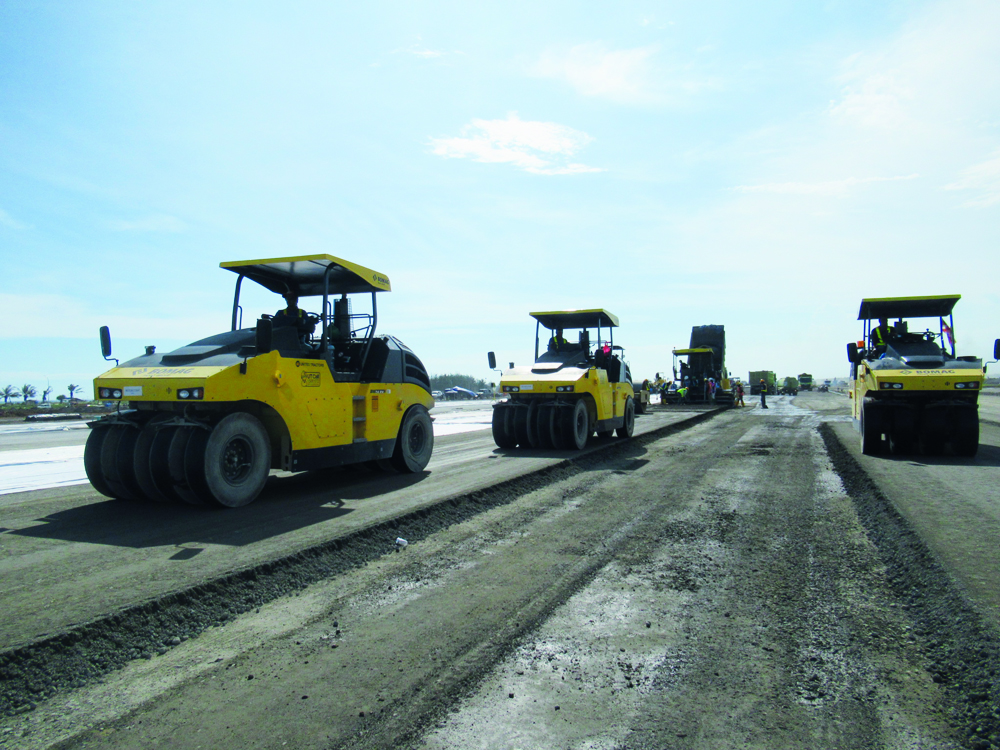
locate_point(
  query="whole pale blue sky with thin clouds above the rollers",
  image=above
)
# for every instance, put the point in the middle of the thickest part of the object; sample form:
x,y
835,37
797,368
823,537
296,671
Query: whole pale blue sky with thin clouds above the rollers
x,y
760,166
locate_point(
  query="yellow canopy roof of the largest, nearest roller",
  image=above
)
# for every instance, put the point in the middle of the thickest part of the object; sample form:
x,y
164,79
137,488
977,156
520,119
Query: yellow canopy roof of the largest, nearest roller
x,y
303,275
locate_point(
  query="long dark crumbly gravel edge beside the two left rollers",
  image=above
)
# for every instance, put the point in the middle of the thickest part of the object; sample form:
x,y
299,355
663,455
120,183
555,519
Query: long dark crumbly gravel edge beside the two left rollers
x,y
85,653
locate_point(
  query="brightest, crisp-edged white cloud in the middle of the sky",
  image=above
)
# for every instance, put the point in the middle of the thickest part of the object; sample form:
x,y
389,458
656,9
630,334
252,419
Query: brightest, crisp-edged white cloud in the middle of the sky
x,y
536,147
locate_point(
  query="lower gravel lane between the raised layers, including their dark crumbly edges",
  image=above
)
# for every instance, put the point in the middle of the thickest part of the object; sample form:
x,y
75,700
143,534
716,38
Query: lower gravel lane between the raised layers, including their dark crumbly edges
x,y
738,583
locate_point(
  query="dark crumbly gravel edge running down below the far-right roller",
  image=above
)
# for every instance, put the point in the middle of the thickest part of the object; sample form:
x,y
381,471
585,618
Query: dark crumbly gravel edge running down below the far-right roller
x,y
962,648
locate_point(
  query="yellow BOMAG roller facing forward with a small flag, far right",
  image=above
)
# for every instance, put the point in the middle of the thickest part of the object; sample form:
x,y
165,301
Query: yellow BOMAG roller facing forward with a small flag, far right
x,y
909,390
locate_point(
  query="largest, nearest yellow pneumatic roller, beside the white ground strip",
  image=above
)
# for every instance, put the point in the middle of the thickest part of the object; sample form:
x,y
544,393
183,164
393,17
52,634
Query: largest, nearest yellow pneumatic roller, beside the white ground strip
x,y
207,422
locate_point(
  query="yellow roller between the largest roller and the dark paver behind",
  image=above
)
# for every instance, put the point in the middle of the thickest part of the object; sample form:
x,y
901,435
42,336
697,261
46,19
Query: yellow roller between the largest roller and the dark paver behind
x,y
573,389
